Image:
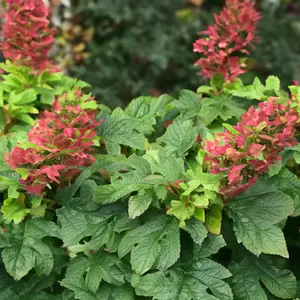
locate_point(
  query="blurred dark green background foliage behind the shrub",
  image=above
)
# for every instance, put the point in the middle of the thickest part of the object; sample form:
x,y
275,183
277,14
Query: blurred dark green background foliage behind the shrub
x,y
128,48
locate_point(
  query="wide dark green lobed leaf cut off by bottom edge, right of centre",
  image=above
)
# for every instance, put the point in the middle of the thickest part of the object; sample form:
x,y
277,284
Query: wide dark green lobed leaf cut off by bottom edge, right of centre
x,y
202,278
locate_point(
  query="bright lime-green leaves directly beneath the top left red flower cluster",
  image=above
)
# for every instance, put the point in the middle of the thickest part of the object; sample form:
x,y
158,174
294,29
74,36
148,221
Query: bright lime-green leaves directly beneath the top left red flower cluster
x,y
23,94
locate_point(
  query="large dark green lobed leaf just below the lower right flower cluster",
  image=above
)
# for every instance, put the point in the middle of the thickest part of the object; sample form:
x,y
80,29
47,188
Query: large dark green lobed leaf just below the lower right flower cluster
x,y
255,215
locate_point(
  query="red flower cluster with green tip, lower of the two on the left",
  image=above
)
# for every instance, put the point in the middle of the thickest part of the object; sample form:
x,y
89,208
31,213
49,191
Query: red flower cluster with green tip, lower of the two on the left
x,y
62,140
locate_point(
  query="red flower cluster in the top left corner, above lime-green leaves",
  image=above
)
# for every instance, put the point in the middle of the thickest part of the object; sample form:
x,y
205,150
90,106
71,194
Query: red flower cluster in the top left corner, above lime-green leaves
x,y
27,37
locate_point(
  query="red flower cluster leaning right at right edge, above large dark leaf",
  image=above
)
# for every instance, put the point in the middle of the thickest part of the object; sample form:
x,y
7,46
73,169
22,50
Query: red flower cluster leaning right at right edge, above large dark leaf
x,y
252,146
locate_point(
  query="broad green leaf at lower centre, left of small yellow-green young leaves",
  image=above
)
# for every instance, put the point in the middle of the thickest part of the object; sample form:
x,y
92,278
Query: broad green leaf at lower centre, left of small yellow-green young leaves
x,y
155,242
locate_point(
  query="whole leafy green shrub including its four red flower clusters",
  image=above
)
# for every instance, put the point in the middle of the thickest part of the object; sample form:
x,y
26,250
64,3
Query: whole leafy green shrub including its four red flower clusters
x,y
188,198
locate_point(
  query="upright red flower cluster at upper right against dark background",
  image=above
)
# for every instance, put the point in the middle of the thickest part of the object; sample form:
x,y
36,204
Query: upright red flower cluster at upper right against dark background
x,y
234,30
